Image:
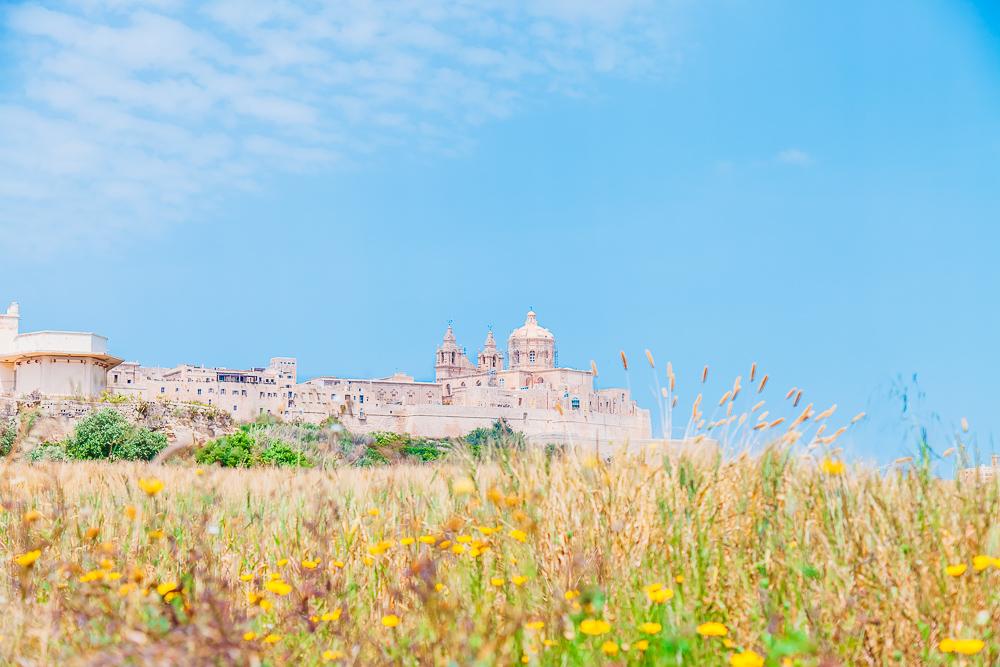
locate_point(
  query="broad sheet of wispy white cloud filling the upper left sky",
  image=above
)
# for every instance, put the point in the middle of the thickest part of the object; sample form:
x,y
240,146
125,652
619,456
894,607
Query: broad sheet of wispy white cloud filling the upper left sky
x,y
118,116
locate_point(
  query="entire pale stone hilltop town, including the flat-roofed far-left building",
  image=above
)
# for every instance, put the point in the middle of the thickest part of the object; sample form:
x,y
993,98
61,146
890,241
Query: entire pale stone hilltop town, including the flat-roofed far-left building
x,y
535,395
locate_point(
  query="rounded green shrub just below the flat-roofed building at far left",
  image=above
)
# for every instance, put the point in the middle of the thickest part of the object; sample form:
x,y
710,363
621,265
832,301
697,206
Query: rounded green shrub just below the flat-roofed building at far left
x,y
108,435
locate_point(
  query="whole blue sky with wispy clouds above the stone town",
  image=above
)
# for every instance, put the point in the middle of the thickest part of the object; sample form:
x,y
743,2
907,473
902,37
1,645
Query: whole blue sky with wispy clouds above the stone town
x,y
812,186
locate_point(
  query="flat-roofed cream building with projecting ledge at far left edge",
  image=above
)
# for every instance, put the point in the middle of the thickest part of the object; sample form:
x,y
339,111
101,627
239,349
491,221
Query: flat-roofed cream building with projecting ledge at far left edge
x,y
51,363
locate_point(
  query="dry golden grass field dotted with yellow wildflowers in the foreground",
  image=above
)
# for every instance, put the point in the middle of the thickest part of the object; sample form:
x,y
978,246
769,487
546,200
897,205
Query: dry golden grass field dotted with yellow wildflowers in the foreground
x,y
774,559
